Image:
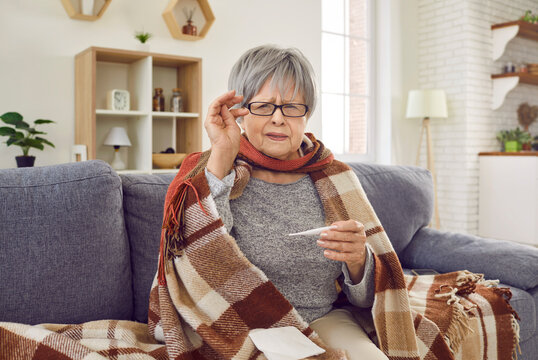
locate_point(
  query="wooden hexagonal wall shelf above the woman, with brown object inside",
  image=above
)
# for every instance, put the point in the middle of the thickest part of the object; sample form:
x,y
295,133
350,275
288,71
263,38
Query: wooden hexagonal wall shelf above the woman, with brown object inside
x,y
173,14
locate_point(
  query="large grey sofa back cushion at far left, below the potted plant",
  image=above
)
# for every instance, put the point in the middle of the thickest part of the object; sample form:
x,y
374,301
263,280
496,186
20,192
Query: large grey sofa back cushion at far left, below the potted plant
x,y
66,223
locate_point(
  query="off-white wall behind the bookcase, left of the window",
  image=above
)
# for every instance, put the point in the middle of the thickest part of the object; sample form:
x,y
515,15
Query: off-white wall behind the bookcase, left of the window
x,y
39,43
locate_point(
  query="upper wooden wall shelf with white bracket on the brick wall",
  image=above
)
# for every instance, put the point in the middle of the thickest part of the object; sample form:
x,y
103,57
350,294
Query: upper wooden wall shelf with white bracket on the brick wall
x,y
503,33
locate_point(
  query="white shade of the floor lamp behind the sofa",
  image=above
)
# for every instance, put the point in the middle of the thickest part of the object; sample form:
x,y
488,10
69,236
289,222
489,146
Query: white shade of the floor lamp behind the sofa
x,y
426,103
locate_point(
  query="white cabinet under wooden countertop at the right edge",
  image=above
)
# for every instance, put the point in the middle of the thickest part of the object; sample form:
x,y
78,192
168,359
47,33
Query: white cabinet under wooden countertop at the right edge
x,y
508,198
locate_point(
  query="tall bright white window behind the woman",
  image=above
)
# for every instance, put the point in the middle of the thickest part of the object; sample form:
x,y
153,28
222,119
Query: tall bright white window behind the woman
x,y
346,77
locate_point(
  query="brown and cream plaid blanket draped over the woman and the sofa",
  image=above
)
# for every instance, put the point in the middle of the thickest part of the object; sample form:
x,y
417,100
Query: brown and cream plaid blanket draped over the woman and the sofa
x,y
207,296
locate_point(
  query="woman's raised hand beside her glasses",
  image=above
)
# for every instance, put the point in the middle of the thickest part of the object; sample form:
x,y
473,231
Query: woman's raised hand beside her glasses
x,y
223,132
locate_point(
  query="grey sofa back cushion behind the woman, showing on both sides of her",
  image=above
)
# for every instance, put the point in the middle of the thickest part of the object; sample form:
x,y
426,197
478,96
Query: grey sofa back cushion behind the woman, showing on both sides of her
x,y
401,196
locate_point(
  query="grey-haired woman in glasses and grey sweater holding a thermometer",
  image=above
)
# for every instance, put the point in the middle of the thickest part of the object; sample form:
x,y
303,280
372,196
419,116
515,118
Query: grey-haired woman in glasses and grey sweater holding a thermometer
x,y
276,94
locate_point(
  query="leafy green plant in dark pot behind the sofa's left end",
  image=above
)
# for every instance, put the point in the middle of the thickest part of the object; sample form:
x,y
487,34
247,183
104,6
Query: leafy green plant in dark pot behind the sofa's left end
x,y
21,134
